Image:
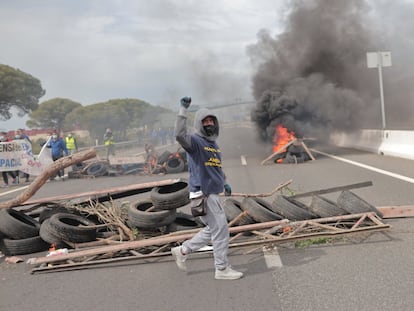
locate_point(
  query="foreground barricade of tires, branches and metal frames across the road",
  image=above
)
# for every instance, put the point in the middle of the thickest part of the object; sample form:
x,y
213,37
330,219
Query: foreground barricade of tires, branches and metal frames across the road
x,y
99,230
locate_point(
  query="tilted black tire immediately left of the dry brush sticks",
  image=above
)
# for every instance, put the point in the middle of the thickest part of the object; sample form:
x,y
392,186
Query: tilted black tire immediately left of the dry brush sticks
x,y
68,227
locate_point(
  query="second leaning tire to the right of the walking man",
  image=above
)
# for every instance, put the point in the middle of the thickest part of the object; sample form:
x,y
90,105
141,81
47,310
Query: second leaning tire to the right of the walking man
x,y
259,209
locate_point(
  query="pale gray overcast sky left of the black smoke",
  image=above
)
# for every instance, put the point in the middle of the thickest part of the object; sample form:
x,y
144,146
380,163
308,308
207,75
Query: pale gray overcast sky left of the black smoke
x,y
160,50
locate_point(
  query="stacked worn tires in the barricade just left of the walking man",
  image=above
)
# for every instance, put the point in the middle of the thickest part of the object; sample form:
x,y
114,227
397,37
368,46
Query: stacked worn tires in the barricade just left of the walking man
x,y
159,211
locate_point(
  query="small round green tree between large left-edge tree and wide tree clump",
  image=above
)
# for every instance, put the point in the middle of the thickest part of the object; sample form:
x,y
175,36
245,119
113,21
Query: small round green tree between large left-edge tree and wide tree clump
x,y
52,113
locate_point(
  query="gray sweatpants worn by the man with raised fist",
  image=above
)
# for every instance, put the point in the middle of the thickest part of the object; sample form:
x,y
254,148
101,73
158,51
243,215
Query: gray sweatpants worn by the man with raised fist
x,y
216,231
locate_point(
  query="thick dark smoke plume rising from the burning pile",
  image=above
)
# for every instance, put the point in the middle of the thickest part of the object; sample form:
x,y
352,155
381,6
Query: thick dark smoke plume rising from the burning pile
x,y
313,76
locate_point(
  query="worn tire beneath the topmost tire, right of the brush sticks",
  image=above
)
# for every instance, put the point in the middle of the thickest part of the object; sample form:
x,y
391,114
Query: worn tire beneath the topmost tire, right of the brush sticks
x,y
140,218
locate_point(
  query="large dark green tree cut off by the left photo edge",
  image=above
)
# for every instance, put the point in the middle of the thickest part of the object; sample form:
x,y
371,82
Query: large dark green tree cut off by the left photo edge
x,y
18,90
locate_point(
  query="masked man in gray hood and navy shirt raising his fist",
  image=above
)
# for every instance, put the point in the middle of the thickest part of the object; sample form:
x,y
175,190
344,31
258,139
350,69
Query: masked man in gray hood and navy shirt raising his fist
x,y
206,179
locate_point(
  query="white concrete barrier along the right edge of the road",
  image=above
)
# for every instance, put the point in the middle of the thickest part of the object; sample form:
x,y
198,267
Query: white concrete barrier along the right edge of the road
x,y
385,142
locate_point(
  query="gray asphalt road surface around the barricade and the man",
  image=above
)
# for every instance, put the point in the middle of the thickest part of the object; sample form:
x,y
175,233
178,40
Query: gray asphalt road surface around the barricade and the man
x,y
373,272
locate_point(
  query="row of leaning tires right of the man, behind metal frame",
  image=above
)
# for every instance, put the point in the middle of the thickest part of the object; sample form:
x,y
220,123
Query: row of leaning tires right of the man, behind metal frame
x,y
284,207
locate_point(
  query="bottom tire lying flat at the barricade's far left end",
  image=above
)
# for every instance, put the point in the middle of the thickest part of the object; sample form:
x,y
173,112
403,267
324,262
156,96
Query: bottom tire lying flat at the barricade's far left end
x,y
23,246
